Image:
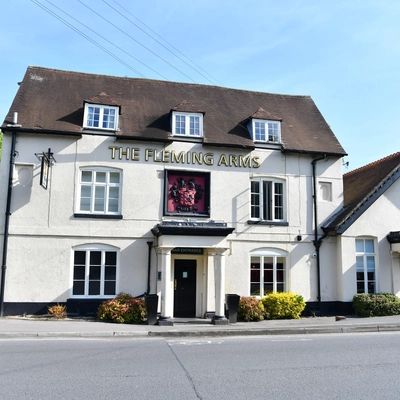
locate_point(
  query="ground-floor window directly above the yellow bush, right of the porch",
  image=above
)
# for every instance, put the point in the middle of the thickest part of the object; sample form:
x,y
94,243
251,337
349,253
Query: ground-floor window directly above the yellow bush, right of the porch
x,y
267,273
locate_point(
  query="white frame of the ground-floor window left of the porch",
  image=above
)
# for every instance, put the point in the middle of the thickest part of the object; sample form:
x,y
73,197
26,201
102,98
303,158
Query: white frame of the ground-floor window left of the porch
x,y
102,279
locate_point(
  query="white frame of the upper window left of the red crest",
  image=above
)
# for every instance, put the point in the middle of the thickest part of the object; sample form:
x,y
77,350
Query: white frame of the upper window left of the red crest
x,y
108,186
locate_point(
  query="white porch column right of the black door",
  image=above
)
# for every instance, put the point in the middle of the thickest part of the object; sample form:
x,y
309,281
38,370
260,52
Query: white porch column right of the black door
x,y
219,277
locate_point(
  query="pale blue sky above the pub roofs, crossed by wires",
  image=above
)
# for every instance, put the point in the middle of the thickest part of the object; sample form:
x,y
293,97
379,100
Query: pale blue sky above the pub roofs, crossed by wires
x,y
345,54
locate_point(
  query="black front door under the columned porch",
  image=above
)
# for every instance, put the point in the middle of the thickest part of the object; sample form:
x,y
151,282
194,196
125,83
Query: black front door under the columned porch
x,y
185,288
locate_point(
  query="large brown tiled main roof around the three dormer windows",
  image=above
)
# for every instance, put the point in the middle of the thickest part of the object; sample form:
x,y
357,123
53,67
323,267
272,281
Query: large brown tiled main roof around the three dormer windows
x,y
52,101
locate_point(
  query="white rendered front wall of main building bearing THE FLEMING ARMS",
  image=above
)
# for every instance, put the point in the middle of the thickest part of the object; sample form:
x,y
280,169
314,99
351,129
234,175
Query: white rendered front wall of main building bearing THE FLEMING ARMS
x,y
43,229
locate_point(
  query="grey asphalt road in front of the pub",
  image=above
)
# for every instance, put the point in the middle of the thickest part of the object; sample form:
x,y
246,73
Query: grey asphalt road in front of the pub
x,y
333,366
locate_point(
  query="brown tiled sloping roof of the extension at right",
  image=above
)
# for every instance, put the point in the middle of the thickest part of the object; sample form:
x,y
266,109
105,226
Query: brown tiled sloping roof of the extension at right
x,y
361,188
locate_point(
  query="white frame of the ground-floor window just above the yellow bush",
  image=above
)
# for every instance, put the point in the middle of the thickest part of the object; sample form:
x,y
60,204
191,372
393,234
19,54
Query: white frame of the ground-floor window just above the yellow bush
x,y
274,256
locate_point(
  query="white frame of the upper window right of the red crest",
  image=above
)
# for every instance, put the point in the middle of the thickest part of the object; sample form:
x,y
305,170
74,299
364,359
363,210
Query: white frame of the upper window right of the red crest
x,y
271,204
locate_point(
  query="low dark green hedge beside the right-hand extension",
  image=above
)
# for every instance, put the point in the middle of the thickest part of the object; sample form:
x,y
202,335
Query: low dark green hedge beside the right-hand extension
x,y
376,304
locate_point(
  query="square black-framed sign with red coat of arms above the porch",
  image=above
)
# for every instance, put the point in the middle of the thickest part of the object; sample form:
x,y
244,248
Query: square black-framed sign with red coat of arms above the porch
x,y
187,193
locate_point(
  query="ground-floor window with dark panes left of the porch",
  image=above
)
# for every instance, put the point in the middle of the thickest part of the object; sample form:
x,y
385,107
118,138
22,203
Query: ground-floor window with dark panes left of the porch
x,y
95,272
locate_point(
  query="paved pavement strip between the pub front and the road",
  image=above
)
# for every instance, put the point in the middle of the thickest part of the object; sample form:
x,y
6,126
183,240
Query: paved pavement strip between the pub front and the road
x,y
27,327
